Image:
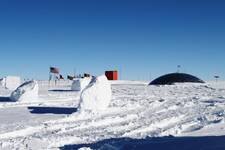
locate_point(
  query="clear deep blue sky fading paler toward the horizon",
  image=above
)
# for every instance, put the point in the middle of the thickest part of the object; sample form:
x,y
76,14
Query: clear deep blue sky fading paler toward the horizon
x,y
141,38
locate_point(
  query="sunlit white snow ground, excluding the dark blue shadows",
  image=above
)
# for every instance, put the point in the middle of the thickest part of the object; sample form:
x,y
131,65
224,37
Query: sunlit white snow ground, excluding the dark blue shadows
x,y
135,111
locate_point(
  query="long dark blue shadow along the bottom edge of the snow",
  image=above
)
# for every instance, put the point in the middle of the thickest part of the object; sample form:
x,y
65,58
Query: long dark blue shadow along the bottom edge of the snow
x,y
161,143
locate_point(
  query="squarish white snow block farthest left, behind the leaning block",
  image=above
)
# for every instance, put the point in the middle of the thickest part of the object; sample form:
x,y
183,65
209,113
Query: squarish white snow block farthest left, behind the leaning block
x,y
11,82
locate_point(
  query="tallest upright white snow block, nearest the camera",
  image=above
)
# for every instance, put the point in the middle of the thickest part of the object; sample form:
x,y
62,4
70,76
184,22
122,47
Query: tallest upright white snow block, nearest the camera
x,y
97,95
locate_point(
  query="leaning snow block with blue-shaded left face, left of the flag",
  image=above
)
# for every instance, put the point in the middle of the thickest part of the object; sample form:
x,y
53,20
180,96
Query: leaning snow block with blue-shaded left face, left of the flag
x,y
28,91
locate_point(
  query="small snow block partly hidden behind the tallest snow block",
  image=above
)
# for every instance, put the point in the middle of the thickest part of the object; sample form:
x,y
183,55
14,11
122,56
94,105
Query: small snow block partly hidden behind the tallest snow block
x,y
80,84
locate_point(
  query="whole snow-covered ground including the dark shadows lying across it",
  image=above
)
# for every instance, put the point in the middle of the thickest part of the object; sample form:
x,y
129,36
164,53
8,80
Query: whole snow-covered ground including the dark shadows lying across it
x,y
136,114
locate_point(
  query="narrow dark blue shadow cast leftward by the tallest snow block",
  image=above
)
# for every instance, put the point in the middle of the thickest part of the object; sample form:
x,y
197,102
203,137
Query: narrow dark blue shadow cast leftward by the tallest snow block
x,y
52,110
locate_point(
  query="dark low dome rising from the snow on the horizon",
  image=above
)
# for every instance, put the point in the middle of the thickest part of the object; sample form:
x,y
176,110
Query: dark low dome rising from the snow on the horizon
x,y
175,78
